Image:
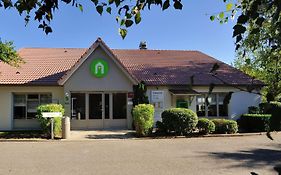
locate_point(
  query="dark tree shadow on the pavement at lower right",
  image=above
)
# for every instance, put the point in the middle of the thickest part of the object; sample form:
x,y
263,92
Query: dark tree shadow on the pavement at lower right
x,y
254,158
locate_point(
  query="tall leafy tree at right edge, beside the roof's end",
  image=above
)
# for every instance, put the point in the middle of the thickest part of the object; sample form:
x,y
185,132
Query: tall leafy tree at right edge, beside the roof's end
x,y
259,43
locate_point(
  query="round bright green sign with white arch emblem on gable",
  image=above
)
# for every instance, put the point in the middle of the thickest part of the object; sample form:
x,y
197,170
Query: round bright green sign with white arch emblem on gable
x,y
99,68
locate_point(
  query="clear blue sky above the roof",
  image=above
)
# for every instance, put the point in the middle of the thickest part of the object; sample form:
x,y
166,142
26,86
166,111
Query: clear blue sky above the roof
x,y
189,29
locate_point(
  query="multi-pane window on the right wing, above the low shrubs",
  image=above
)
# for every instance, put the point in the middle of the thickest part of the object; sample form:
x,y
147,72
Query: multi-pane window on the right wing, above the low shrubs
x,y
216,107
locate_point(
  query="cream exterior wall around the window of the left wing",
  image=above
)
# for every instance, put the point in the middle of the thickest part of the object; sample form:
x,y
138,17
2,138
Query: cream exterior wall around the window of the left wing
x,y
6,107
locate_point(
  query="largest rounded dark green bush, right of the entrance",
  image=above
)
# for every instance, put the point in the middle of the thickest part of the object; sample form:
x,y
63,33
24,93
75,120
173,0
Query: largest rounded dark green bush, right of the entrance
x,y
178,121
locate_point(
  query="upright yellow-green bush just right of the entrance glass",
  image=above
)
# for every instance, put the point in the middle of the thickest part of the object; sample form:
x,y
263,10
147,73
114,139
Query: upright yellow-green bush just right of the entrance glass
x,y
143,115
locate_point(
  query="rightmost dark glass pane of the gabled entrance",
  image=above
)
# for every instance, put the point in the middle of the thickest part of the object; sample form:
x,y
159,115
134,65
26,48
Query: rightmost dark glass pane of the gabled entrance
x,y
119,106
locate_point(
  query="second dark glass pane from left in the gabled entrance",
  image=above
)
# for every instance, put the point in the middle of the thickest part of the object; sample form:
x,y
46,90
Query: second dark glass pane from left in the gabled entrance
x,y
95,106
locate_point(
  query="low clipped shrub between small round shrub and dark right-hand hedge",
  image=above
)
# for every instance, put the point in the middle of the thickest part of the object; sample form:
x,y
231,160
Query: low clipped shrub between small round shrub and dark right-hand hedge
x,y
224,126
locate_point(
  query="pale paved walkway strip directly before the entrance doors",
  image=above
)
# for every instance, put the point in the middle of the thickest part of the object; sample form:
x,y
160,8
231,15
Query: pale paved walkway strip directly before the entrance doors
x,y
101,134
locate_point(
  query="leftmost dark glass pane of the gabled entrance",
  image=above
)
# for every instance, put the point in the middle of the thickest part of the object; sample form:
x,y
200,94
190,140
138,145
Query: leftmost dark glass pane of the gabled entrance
x,y
78,106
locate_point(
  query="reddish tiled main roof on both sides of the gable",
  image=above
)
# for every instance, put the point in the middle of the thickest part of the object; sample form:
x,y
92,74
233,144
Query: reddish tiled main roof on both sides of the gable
x,y
45,66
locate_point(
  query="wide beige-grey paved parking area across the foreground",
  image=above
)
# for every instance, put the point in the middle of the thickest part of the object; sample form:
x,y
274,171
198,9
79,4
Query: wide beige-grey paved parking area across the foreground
x,y
214,155
